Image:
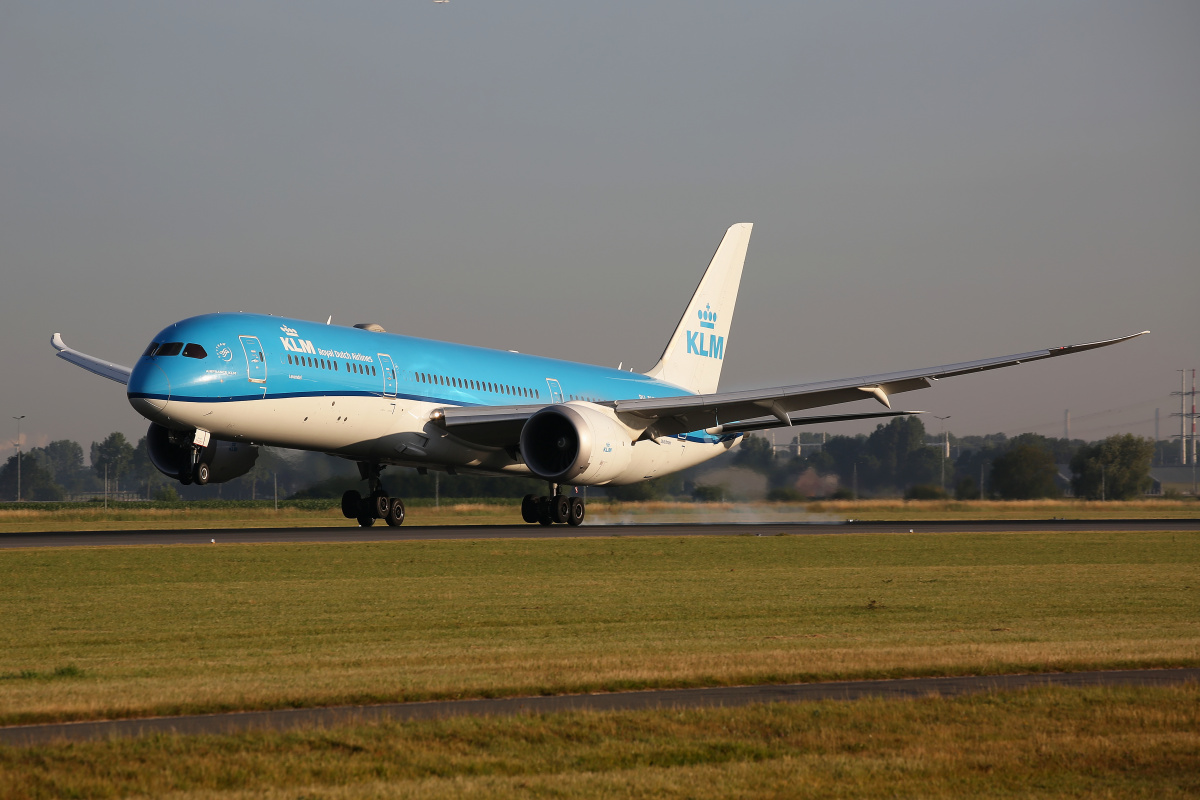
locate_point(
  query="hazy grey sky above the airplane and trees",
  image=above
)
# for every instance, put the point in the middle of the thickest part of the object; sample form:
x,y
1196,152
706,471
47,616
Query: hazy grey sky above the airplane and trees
x,y
931,183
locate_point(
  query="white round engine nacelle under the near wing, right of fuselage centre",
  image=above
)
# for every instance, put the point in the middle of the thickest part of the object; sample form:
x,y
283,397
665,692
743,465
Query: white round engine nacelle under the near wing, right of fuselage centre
x,y
577,444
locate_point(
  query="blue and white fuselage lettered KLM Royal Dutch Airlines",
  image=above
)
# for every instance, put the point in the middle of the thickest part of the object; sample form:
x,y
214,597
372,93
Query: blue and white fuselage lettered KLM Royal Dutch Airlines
x,y
371,396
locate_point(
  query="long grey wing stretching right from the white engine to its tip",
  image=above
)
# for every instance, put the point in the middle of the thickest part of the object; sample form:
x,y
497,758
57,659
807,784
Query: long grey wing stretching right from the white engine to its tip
x,y
745,405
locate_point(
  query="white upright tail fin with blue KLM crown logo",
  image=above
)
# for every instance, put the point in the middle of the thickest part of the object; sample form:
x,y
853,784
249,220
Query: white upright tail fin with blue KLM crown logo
x,y
695,353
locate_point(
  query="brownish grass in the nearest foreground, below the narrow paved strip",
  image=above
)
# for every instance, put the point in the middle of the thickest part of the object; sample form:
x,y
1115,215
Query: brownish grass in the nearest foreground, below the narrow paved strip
x,y
1049,743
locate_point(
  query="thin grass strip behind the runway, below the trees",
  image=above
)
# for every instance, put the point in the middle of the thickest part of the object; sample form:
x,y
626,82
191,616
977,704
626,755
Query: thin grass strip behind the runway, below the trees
x,y
304,514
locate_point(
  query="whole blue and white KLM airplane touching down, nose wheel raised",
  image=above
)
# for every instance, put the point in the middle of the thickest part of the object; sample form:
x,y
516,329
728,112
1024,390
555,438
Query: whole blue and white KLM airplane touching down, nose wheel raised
x,y
218,387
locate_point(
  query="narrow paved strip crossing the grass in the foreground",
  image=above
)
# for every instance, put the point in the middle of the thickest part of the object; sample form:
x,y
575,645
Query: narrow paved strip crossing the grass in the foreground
x,y
677,699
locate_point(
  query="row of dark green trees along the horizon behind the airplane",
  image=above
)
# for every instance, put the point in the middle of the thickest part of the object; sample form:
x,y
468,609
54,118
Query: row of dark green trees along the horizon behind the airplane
x,y
895,460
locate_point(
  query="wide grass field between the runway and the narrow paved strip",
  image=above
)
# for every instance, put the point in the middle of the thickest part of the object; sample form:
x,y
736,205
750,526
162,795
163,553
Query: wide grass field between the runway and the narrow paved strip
x,y
185,629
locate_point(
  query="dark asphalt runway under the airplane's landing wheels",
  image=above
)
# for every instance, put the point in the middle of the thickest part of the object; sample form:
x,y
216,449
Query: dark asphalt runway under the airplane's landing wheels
x,y
416,533
